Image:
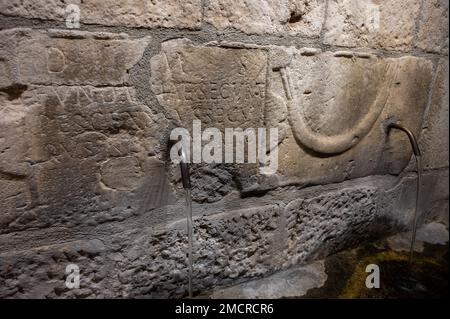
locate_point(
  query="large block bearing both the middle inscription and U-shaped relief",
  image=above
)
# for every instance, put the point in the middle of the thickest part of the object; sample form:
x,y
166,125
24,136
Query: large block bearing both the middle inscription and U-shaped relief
x,y
330,107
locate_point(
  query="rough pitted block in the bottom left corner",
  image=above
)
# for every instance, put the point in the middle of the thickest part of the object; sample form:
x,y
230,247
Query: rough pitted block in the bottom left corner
x,y
41,272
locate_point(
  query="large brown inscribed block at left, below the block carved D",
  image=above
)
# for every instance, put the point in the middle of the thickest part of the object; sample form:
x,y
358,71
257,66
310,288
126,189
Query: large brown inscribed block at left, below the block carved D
x,y
92,151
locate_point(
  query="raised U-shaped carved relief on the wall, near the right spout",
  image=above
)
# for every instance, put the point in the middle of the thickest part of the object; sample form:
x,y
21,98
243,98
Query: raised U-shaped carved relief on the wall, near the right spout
x,y
340,142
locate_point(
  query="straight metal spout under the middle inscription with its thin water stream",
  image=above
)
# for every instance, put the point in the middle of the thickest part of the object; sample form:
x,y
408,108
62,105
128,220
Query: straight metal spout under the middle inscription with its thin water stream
x,y
186,180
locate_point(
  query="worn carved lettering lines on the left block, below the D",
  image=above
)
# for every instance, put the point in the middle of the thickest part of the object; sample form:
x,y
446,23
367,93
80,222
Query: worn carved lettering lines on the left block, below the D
x,y
86,122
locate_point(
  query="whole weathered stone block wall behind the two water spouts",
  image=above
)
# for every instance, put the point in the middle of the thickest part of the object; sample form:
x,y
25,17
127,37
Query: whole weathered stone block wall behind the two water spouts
x,y
86,114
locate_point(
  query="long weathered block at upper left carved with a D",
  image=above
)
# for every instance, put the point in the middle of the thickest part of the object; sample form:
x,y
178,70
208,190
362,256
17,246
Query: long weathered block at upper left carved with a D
x,y
67,57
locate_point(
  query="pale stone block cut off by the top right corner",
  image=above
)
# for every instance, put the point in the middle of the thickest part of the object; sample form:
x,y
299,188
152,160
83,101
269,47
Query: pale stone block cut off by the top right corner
x,y
433,27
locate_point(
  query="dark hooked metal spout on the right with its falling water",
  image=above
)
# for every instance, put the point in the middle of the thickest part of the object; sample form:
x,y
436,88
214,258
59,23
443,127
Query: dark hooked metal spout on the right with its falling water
x,y
394,124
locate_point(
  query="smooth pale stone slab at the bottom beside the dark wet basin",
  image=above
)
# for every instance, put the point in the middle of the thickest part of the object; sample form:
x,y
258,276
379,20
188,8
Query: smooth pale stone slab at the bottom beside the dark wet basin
x,y
294,282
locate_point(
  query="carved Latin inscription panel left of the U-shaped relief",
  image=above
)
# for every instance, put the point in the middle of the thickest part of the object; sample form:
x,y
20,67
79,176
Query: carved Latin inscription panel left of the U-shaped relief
x,y
220,87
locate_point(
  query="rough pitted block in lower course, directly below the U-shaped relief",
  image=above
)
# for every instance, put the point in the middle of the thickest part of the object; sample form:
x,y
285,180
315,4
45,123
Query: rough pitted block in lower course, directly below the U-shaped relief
x,y
317,225
